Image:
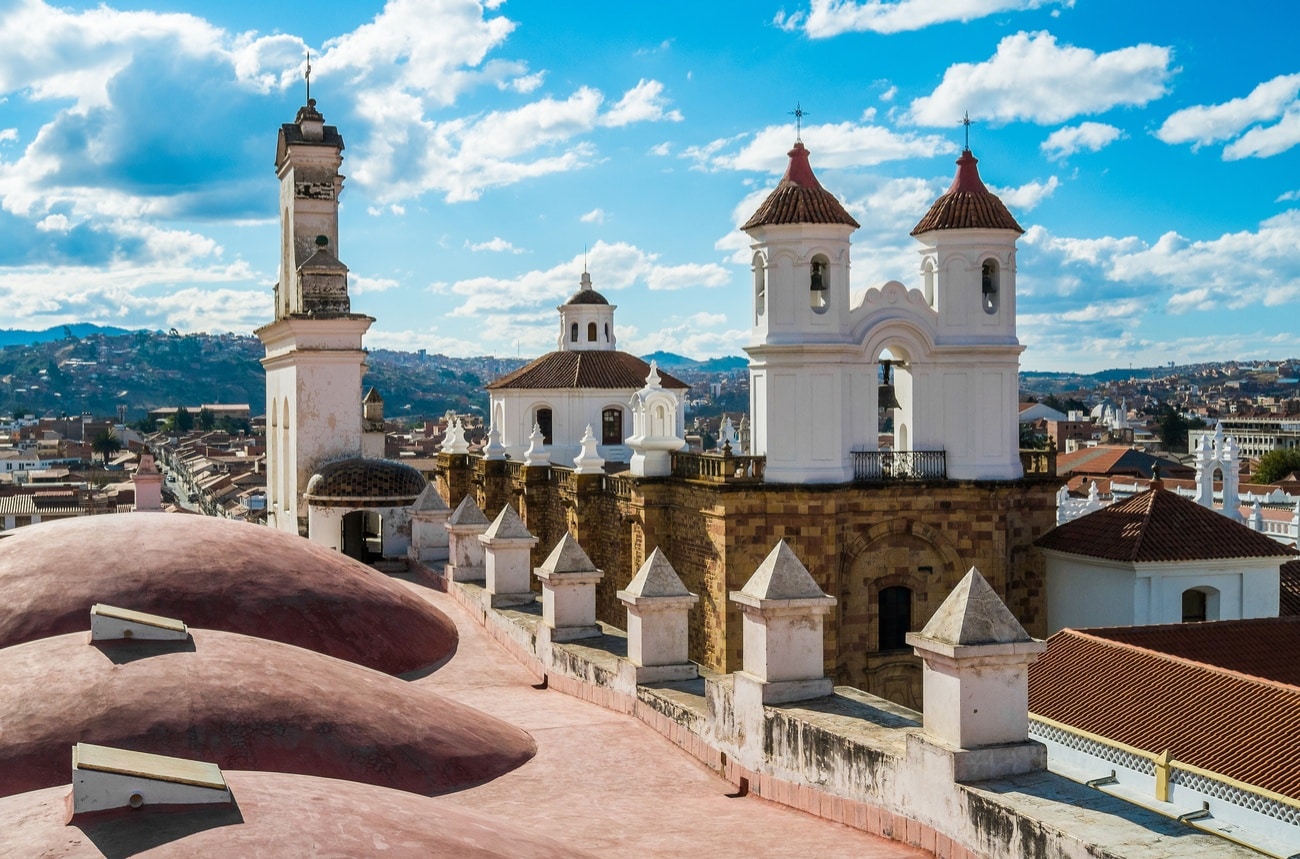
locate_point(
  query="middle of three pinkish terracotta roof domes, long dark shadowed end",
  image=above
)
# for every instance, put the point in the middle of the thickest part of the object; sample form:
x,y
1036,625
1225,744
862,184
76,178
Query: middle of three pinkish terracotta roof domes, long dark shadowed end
x,y
242,704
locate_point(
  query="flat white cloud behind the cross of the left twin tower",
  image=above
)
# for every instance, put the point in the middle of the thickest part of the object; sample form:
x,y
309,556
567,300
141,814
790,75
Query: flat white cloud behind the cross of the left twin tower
x,y
833,146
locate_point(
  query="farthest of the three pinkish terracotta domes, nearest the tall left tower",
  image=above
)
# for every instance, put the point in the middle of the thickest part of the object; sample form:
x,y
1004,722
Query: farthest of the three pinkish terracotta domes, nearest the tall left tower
x,y
215,574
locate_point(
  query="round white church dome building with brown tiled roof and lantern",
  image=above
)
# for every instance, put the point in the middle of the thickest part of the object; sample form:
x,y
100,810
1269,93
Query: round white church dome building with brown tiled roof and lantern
x,y
586,383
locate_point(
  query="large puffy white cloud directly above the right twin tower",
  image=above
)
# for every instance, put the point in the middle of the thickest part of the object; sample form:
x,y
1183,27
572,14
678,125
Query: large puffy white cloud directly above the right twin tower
x,y
1033,79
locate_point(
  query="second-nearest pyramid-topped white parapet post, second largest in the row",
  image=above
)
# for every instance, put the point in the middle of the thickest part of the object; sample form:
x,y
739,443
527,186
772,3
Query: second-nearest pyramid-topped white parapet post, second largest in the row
x,y
785,650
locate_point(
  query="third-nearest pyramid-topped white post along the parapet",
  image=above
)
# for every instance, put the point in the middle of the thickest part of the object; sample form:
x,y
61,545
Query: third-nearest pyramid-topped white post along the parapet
x,y
658,615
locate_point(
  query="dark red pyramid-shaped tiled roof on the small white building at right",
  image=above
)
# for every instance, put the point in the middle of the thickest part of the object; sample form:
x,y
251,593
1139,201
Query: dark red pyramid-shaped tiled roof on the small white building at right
x,y
1159,526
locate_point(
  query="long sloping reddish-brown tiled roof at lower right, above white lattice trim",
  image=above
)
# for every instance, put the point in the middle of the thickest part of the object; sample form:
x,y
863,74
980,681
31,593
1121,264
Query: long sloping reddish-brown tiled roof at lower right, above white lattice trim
x,y
1242,727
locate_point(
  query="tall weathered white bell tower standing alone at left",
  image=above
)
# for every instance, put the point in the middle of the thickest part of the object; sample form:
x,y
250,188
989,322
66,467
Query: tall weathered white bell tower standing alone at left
x,y
315,361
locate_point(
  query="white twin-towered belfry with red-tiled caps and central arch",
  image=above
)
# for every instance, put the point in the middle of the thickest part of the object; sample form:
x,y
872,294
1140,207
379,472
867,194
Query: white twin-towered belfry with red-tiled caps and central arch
x,y
814,361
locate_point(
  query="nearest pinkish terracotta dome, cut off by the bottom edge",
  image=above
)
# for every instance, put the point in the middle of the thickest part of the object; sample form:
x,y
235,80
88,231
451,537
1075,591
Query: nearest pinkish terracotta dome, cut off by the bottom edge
x,y
275,815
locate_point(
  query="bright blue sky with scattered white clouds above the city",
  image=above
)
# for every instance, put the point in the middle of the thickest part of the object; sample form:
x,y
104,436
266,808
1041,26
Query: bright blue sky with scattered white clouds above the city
x,y
1150,150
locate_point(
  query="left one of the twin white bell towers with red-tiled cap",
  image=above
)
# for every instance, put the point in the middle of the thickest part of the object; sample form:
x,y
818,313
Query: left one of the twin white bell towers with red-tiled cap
x,y
800,346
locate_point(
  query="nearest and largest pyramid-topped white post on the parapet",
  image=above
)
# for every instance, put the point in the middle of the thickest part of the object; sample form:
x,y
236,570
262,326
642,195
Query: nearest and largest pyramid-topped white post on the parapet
x,y
977,683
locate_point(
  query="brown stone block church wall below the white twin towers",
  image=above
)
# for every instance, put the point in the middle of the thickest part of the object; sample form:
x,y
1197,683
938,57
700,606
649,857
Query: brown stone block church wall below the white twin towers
x,y
856,540
